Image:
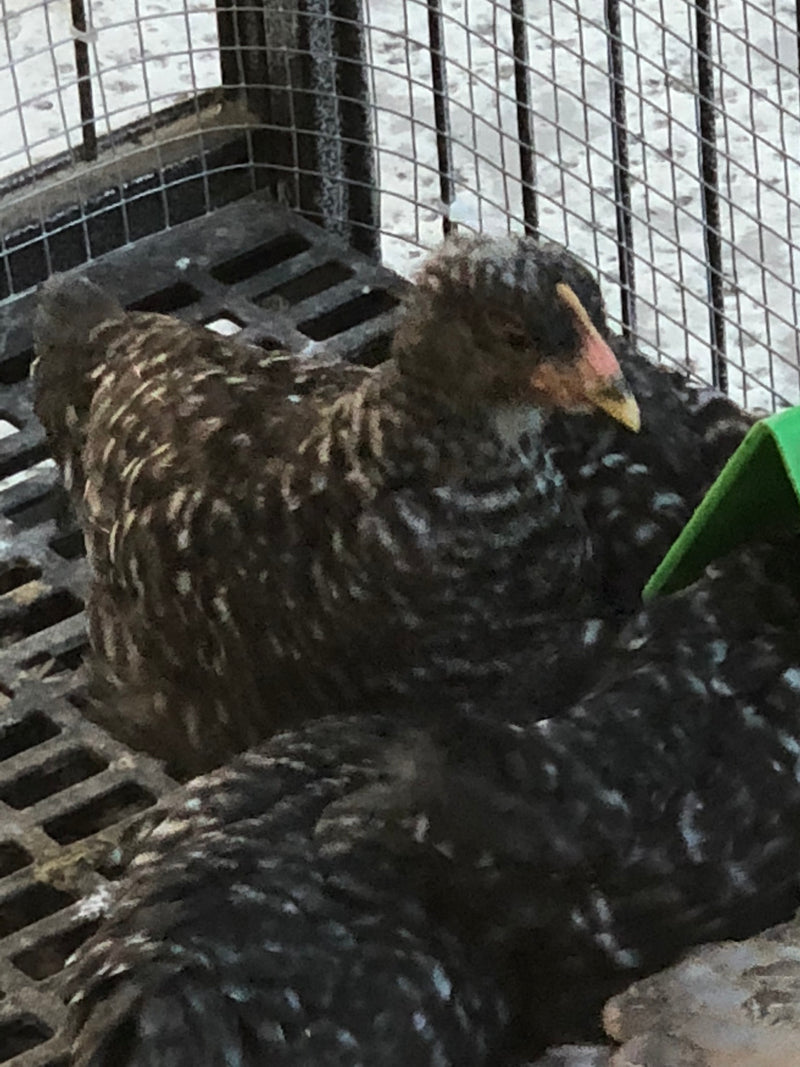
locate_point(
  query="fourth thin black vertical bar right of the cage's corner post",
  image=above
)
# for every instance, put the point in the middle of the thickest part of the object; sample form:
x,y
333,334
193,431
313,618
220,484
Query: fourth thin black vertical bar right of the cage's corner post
x,y
707,126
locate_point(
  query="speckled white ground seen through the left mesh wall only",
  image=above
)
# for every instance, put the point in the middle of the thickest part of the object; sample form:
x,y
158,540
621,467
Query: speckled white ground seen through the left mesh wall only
x,y
147,55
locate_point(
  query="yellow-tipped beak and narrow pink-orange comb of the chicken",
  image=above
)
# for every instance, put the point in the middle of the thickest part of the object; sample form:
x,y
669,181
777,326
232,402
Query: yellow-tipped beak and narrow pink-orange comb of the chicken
x,y
603,384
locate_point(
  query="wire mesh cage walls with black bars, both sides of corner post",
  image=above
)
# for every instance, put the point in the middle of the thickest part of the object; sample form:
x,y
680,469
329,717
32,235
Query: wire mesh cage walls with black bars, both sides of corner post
x,y
659,140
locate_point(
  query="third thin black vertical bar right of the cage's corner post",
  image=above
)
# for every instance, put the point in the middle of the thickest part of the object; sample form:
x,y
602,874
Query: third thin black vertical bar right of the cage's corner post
x,y
621,169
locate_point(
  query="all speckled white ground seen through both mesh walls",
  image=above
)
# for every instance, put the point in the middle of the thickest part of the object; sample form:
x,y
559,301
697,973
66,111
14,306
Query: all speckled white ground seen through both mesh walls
x,y
149,53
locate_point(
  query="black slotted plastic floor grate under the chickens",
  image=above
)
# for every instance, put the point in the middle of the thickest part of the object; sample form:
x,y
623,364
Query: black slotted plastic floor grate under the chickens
x,y
69,792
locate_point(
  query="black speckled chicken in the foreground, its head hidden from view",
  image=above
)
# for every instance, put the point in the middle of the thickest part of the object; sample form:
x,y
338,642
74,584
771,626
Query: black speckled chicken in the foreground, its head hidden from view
x,y
470,889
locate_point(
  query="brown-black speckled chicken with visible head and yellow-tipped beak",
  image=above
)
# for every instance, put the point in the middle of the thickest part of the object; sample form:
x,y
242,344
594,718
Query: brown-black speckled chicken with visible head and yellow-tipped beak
x,y
271,534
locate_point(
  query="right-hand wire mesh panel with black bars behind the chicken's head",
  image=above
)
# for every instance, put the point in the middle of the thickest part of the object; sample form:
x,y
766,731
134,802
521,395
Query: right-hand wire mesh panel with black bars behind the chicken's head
x,y
659,141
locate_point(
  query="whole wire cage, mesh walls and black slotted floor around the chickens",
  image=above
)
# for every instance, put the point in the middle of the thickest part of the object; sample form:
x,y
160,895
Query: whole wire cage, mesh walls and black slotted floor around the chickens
x,y
278,168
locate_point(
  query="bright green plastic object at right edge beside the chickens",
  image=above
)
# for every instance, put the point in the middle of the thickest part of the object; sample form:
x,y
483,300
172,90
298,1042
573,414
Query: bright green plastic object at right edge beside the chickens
x,y
757,495
